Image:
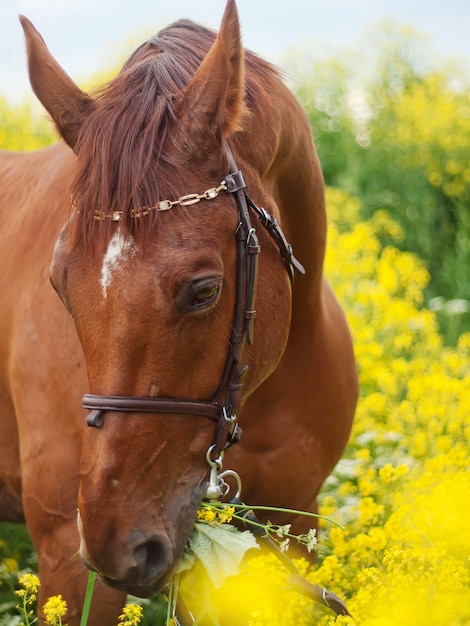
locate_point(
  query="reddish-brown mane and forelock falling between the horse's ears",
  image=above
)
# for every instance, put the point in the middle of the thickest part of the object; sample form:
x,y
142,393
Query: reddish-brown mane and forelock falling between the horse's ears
x,y
122,143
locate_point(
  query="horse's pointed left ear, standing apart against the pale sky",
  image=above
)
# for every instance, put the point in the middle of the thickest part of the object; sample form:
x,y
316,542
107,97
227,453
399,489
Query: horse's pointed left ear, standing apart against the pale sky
x,y
60,96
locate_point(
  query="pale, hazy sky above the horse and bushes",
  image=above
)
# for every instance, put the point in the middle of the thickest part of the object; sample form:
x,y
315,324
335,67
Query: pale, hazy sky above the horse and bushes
x,y
88,35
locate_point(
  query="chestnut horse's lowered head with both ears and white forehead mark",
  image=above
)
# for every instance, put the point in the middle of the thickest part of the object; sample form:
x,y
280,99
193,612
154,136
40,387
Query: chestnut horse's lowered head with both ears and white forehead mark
x,y
147,264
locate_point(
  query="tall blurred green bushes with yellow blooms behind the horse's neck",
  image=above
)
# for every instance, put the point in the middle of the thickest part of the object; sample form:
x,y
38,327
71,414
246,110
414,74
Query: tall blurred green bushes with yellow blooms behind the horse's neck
x,y
394,130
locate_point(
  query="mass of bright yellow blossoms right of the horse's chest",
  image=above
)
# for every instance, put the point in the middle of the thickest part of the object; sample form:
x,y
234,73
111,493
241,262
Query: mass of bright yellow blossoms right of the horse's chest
x,y
402,490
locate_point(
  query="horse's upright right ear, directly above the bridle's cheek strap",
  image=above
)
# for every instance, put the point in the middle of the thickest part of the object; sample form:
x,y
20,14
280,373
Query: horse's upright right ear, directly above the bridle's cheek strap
x,y
214,99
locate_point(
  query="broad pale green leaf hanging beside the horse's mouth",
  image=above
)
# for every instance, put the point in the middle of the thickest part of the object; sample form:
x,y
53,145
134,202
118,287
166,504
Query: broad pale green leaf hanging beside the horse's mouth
x,y
220,549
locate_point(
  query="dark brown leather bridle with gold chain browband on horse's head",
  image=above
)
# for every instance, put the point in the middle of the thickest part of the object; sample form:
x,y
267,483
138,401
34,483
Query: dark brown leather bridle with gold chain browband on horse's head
x,y
223,406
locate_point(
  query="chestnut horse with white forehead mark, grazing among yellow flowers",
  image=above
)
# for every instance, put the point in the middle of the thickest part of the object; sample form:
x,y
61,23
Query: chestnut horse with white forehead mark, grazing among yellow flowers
x,y
178,314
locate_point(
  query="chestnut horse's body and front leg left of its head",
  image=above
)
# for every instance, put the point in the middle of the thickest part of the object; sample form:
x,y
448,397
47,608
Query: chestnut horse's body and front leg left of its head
x,y
42,376
